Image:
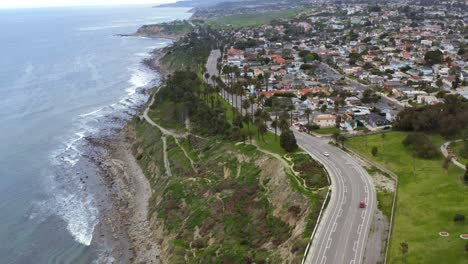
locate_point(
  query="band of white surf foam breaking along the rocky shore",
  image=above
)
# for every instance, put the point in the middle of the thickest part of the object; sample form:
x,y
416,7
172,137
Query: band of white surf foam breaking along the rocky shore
x,y
71,202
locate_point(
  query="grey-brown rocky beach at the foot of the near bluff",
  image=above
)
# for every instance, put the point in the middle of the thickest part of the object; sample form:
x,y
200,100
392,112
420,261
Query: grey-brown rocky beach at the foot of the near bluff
x,y
130,193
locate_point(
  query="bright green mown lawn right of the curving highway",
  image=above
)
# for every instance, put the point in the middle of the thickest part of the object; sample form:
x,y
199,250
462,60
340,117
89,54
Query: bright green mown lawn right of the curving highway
x,y
427,202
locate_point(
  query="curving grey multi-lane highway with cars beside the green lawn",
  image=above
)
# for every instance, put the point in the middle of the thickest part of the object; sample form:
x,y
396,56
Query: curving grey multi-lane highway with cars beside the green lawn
x,y
343,230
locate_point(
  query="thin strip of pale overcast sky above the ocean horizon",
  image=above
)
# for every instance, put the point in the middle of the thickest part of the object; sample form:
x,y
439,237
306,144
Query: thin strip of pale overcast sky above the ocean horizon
x,y
48,3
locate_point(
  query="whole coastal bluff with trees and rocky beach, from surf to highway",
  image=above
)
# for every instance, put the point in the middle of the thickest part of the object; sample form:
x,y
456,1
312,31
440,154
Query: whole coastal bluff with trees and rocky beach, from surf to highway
x,y
207,196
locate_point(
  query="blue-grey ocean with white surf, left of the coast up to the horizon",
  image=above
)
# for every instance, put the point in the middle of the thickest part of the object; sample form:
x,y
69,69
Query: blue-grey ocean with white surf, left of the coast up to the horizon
x,y
64,77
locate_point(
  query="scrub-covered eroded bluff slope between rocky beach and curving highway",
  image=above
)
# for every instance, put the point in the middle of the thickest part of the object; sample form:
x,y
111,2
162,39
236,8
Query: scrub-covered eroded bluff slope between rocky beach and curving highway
x,y
235,204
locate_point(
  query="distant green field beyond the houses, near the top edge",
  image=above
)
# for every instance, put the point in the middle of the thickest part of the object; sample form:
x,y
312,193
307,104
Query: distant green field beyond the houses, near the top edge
x,y
250,20
